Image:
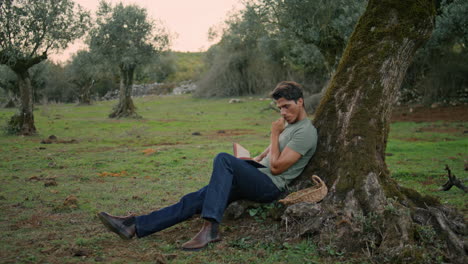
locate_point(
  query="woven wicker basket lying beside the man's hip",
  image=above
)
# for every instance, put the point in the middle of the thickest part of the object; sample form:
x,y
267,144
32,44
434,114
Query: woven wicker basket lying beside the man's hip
x,y
313,194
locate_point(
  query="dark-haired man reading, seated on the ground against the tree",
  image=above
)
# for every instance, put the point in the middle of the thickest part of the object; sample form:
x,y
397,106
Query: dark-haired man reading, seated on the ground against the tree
x,y
292,143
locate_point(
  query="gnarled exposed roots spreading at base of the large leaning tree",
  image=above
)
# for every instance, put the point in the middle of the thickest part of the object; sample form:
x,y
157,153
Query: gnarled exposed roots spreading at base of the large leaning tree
x,y
397,234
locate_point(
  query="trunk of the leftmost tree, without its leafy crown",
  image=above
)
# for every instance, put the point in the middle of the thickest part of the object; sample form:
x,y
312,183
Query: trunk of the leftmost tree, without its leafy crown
x,y
23,122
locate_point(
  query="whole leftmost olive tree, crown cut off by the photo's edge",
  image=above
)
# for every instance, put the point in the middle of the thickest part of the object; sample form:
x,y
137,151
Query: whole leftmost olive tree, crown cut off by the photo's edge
x,y
29,31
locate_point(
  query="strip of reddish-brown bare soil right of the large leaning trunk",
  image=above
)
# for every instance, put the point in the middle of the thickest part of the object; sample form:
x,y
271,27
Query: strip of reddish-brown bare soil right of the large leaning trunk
x,y
428,114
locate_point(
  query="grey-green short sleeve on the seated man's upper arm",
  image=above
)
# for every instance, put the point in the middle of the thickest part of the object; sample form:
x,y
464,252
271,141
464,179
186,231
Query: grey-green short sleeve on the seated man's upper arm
x,y
303,139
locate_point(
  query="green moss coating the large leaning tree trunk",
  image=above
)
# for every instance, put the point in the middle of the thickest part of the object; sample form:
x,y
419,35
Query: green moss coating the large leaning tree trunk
x,y
379,35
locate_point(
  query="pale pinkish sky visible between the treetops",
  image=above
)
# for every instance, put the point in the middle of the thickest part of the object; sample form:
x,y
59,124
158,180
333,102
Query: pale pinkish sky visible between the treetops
x,y
188,20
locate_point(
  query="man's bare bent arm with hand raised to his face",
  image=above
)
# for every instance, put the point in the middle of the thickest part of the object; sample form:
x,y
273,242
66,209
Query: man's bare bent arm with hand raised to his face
x,y
280,161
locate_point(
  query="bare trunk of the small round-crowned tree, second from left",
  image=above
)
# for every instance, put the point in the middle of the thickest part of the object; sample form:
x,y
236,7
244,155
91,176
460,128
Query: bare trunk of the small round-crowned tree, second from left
x,y
125,108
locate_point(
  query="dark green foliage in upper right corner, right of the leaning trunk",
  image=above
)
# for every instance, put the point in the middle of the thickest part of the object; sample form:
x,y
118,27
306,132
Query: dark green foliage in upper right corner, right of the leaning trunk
x,y
439,72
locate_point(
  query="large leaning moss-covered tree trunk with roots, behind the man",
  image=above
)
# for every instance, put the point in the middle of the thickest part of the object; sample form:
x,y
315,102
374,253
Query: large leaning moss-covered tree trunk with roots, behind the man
x,y
365,209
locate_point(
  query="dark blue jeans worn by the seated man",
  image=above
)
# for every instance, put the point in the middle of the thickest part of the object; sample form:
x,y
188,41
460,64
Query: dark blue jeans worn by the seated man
x,y
232,179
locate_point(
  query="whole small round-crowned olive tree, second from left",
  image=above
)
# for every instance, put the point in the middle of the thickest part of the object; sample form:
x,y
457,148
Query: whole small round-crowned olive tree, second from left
x,y
127,38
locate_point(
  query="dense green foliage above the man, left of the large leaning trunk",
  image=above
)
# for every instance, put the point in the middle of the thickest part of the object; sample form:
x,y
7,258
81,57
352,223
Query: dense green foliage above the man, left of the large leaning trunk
x,y
273,40
